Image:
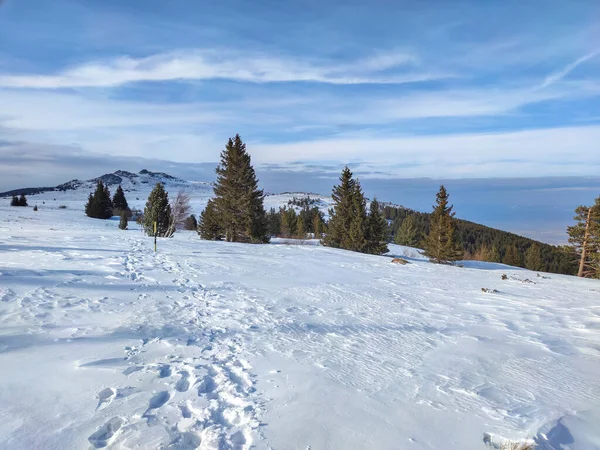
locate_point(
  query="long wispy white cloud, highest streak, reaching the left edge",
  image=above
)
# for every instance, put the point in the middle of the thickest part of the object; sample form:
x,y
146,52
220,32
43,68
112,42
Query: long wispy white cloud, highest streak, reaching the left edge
x,y
213,64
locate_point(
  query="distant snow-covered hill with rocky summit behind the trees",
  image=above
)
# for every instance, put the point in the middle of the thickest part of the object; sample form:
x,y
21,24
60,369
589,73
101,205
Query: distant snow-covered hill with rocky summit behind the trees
x,y
137,186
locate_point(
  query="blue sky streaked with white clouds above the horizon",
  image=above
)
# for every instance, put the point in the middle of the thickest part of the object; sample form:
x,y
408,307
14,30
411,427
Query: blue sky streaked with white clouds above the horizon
x,y
397,89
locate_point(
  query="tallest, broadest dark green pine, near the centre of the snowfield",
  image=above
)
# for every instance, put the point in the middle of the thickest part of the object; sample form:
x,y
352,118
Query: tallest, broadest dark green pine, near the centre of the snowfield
x,y
238,201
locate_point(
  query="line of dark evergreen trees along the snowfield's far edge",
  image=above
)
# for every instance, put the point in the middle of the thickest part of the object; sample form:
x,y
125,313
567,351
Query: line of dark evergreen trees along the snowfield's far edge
x,y
236,213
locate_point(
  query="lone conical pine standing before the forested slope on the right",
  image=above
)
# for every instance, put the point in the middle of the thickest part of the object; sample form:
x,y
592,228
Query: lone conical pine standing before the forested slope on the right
x,y
441,245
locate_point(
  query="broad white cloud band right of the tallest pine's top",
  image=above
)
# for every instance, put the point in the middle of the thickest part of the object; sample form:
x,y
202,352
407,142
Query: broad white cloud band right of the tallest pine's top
x,y
539,152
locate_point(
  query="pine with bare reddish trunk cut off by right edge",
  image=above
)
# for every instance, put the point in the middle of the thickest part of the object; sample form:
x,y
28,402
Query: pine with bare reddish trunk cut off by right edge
x,y
584,237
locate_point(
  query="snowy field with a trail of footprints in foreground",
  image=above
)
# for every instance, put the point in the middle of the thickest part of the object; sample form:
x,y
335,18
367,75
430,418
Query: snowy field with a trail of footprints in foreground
x,y
105,344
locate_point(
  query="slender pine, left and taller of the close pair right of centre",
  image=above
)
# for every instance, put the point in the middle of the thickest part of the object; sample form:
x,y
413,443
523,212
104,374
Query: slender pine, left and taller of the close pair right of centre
x,y
340,216
